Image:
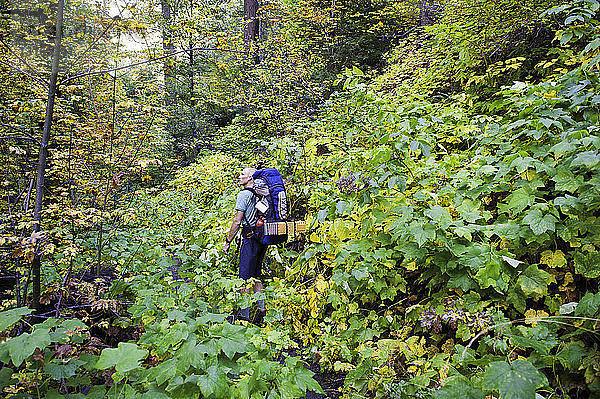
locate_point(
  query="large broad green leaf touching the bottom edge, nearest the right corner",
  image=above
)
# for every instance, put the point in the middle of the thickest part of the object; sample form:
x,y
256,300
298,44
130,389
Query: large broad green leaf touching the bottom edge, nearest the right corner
x,y
517,380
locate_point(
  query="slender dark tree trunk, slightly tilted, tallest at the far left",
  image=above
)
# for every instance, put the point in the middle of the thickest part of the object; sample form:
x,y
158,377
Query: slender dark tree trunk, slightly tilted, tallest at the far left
x,y
43,157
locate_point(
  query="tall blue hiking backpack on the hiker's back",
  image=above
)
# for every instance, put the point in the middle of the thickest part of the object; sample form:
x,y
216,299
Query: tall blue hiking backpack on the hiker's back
x,y
271,204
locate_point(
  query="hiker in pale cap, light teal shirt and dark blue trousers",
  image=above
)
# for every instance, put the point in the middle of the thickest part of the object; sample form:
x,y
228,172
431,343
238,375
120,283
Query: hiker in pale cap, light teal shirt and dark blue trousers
x,y
252,251
